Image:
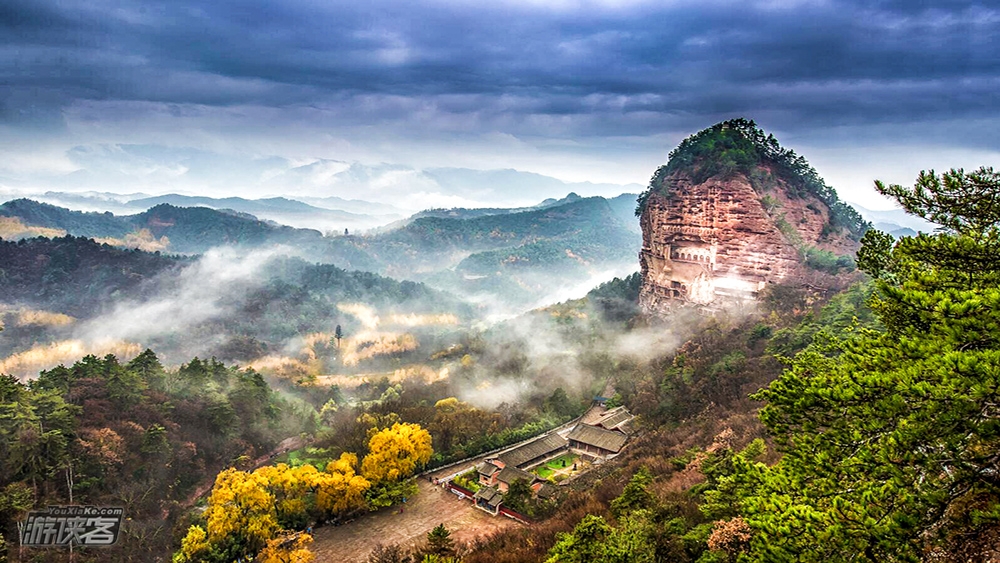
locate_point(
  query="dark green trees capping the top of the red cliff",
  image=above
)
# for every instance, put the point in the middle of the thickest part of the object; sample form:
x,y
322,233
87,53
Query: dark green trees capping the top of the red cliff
x,y
739,146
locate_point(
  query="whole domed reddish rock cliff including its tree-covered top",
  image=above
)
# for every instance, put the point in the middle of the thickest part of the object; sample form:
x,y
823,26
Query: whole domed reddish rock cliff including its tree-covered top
x,y
731,212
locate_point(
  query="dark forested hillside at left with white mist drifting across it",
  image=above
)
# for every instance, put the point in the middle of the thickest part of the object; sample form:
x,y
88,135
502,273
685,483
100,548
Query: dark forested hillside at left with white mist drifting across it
x,y
74,292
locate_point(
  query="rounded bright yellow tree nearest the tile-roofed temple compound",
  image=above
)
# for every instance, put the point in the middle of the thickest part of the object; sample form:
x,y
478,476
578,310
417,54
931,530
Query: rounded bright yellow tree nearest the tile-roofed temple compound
x,y
394,453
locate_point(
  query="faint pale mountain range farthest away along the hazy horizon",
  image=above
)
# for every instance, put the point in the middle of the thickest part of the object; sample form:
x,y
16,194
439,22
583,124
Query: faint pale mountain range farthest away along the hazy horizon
x,y
324,183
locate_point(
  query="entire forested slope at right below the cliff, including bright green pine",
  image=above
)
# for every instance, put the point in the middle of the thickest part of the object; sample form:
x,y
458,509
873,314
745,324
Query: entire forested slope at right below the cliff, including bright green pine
x,y
876,438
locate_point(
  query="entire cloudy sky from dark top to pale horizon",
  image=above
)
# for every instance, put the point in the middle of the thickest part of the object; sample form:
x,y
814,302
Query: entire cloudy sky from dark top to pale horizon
x,y
584,91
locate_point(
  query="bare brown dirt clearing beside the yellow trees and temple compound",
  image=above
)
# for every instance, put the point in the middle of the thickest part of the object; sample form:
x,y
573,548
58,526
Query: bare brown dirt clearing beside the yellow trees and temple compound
x,y
432,506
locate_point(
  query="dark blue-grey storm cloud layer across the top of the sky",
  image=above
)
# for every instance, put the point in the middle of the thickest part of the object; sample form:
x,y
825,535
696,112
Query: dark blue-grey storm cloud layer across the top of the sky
x,y
560,69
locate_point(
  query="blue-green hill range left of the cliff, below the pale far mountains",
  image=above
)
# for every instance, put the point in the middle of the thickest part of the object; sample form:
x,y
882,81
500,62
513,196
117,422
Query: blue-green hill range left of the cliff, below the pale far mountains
x,y
509,258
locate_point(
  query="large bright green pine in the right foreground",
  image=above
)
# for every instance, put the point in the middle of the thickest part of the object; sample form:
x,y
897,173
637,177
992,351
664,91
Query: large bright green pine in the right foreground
x,y
889,436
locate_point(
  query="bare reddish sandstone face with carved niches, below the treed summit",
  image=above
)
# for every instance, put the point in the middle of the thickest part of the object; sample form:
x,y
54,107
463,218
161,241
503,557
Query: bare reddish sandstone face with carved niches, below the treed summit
x,y
721,241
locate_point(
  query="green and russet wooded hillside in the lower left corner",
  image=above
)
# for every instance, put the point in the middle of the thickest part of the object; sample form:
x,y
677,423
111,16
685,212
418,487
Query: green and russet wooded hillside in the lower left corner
x,y
132,435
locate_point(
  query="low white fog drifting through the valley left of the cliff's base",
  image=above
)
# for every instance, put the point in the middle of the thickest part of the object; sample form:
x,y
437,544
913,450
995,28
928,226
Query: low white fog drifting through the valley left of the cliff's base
x,y
501,352
